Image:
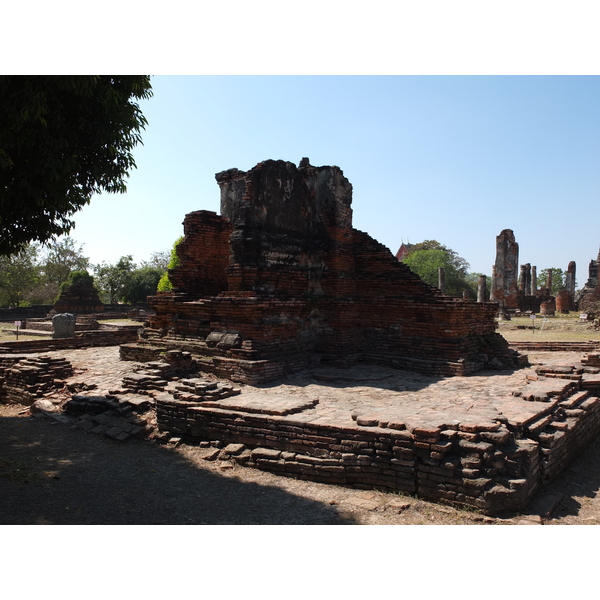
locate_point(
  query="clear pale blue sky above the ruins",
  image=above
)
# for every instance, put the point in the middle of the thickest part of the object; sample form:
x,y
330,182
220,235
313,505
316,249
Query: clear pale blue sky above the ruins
x,y
451,158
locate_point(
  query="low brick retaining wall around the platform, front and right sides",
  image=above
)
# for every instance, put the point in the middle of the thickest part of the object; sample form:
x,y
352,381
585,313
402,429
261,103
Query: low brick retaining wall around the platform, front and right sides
x,y
494,467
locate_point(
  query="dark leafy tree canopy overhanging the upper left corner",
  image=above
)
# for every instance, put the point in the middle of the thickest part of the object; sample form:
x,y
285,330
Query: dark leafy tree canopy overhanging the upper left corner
x,y
62,139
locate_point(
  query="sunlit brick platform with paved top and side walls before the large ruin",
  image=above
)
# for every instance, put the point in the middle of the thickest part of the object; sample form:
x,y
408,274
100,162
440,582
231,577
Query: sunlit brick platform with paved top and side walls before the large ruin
x,y
489,449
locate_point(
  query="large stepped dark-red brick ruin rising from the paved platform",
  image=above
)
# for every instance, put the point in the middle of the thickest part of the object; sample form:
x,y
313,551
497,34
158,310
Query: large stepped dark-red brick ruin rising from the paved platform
x,y
281,281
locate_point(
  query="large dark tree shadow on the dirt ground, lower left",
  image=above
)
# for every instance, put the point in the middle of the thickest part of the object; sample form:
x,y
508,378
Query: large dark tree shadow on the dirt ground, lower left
x,y
51,473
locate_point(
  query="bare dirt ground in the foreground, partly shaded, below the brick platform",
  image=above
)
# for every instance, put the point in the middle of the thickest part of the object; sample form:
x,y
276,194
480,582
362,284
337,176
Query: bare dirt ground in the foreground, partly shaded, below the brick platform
x,y
53,473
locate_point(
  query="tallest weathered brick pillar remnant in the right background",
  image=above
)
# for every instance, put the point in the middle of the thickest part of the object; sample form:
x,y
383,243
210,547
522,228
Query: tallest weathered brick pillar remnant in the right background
x,y
504,278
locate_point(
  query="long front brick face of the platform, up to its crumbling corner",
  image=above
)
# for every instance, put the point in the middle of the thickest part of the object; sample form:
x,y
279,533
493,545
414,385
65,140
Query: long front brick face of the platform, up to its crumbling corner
x,y
489,470
